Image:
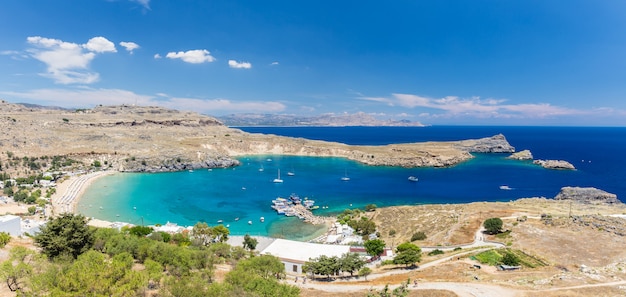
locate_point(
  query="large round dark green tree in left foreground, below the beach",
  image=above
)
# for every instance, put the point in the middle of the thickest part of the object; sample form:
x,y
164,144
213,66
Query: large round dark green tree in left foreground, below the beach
x,y
67,234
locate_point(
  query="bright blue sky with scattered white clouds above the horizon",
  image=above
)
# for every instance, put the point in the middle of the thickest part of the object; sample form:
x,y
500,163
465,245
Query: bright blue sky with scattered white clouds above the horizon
x,y
437,62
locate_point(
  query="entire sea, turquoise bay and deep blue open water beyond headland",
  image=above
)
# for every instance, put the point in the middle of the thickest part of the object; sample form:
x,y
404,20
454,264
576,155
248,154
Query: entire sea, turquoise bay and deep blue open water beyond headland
x,y
238,197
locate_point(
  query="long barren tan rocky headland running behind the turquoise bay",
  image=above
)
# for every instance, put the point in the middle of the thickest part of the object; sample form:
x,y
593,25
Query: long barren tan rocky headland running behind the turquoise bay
x,y
155,139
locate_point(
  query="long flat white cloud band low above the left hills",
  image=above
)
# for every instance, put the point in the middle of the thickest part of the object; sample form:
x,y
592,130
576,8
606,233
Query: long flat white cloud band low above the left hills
x,y
89,97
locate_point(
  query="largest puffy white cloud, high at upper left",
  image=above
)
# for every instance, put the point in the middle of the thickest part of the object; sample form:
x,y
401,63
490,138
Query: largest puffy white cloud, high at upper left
x,y
67,62
